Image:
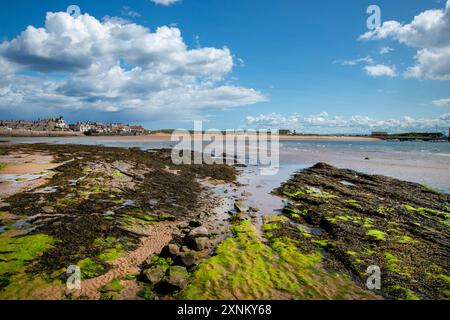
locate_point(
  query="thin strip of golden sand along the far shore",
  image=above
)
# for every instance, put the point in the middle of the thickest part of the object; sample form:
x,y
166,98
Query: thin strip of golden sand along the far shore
x,y
167,137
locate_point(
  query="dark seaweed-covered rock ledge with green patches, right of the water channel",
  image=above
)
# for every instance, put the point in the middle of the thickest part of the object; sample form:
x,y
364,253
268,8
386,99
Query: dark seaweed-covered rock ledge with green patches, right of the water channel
x,y
360,220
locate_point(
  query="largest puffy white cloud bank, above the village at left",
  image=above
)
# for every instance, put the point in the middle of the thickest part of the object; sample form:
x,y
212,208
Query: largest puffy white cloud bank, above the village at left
x,y
114,65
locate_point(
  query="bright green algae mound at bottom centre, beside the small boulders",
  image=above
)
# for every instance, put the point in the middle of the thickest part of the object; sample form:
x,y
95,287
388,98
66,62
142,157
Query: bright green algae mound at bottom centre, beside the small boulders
x,y
244,267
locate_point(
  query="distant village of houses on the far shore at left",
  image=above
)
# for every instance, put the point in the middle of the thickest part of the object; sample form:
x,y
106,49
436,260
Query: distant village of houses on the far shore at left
x,y
60,125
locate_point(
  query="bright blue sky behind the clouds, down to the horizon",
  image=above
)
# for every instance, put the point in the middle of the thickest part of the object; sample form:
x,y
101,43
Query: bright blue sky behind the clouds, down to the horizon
x,y
295,54
